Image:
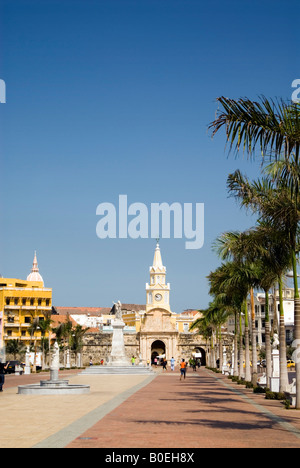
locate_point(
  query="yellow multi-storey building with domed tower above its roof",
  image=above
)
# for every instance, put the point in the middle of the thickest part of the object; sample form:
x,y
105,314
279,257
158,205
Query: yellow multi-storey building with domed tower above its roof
x,y
21,301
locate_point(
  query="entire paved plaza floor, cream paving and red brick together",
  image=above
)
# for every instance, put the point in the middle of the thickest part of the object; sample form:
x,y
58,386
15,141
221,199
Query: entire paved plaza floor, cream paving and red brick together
x,y
205,410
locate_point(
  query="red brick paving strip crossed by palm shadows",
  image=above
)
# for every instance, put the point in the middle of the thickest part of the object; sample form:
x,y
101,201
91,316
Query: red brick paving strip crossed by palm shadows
x,y
198,412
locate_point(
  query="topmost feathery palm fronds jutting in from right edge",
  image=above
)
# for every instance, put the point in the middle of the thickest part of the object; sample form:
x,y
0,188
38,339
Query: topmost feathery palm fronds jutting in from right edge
x,y
273,126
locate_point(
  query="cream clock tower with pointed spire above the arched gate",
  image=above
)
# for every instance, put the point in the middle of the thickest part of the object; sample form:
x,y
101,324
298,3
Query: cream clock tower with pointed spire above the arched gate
x,y
158,291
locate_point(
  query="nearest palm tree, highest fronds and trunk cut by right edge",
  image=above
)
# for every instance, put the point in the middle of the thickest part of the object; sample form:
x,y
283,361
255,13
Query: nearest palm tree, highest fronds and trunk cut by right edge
x,y
273,127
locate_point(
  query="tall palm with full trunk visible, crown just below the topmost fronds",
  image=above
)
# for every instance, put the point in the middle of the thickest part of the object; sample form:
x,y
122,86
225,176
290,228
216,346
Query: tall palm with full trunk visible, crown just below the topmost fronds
x,y
278,234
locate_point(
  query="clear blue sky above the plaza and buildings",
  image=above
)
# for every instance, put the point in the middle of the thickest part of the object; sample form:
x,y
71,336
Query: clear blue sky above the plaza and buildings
x,y
109,97
